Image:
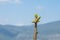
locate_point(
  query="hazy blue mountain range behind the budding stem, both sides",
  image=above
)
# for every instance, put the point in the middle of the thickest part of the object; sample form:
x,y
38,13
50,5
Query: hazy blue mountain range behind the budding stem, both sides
x,y
48,31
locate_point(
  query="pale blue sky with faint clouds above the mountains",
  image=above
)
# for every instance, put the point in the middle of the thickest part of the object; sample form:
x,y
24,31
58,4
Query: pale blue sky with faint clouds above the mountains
x,y
21,12
